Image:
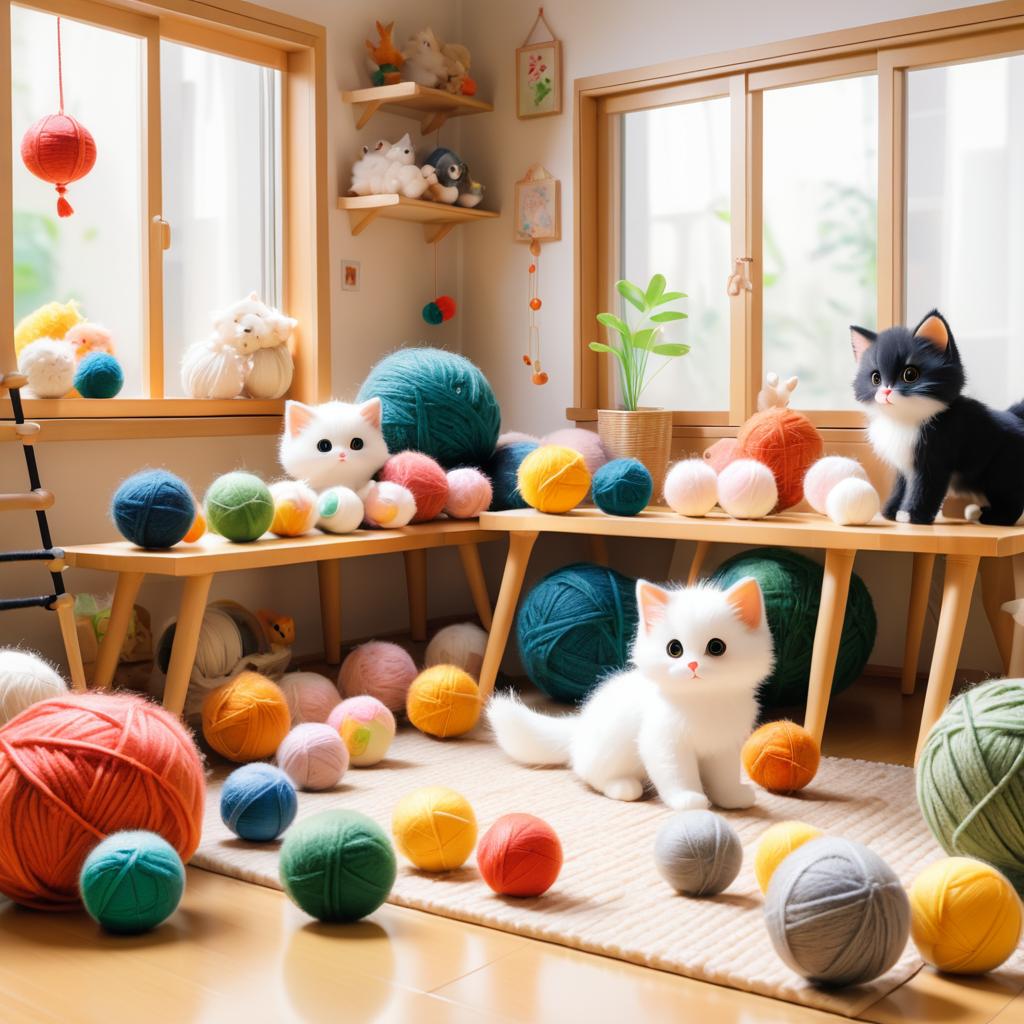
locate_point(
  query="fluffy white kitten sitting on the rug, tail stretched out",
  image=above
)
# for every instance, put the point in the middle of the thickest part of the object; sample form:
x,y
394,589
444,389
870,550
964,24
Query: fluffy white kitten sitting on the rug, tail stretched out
x,y
678,718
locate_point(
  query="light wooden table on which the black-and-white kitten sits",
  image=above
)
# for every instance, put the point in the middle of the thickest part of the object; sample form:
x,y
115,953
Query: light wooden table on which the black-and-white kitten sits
x,y
963,544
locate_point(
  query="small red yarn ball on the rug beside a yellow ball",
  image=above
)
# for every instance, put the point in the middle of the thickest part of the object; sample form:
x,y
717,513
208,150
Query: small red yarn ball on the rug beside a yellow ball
x,y
520,856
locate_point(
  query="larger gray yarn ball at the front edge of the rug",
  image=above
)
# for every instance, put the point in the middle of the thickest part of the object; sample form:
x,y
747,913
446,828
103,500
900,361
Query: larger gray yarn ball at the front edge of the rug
x,y
837,913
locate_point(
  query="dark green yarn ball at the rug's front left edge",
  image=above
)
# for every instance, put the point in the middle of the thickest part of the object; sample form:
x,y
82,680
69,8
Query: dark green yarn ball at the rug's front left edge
x,y
338,866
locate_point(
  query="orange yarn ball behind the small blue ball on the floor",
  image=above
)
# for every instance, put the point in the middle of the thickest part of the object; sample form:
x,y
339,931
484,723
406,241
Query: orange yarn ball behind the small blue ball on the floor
x,y
246,718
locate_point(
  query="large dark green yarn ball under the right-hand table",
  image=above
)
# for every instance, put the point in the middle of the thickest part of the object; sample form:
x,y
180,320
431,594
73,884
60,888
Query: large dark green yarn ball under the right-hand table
x,y
792,588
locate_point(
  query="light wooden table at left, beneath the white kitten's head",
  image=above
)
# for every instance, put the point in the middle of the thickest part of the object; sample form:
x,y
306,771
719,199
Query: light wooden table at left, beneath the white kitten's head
x,y
197,565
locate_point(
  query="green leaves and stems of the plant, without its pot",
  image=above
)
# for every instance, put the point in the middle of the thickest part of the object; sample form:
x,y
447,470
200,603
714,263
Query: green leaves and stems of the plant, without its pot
x,y
639,339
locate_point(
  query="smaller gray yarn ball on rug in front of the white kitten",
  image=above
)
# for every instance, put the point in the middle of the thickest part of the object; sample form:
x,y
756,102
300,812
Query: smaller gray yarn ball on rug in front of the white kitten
x,y
698,854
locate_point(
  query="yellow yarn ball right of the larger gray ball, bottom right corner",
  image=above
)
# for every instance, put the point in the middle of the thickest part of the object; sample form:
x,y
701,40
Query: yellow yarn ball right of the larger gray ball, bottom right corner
x,y
965,916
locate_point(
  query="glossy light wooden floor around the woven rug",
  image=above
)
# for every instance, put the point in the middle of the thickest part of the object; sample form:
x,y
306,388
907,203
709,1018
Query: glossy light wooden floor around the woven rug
x,y
242,954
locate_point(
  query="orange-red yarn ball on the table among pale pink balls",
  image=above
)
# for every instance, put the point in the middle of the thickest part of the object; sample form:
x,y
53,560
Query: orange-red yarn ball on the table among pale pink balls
x,y
788,444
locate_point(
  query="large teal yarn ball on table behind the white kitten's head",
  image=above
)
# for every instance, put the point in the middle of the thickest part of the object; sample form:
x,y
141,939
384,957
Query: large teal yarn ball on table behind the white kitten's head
x,y
437,403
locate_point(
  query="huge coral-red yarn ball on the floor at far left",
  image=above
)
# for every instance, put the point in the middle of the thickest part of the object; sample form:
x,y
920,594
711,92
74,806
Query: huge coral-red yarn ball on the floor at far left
x,y
76,769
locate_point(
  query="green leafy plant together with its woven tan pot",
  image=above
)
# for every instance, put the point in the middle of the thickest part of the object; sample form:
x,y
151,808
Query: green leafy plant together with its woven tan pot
x,y
634,432
